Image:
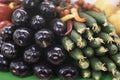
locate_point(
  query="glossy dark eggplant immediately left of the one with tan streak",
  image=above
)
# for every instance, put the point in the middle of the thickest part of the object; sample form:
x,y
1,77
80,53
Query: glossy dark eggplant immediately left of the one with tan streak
x,y
22,36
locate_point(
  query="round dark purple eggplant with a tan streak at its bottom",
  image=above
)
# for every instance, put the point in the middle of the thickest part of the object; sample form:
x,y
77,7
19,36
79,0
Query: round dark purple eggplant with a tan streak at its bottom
x,y
44,38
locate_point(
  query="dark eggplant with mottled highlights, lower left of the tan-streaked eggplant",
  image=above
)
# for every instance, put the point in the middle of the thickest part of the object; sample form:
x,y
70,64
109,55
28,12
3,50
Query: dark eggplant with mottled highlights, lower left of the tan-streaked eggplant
x,y
32,54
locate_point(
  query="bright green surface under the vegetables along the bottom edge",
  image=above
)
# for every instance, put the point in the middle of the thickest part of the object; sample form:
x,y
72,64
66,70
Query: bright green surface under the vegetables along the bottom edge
x,y
9,76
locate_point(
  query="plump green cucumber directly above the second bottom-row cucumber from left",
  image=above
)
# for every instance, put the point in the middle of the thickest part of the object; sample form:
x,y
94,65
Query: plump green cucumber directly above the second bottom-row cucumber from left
x,y
97,65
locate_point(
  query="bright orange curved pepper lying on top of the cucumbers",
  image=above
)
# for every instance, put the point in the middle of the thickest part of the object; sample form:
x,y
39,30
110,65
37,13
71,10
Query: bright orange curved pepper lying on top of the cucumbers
x,y
74,12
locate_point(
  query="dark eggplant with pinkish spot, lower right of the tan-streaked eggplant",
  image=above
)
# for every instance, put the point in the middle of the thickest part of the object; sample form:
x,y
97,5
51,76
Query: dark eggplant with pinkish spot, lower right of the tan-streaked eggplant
x,y
55,55
